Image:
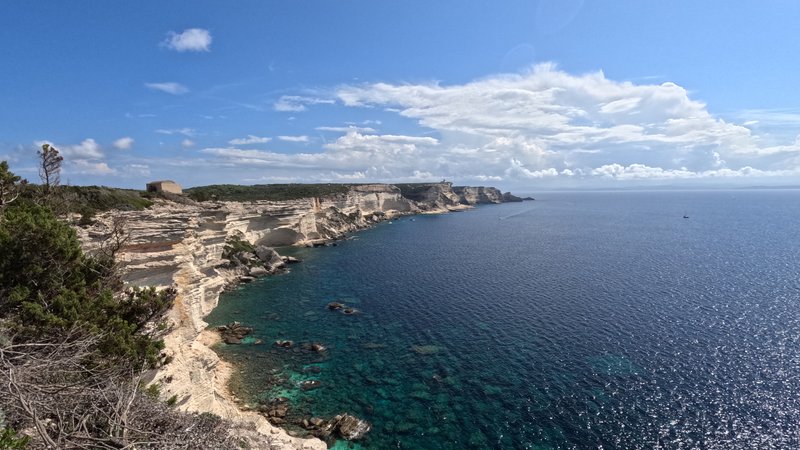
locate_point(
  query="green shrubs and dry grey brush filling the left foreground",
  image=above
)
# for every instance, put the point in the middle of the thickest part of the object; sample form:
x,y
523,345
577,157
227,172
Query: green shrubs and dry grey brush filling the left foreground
x,y
74,341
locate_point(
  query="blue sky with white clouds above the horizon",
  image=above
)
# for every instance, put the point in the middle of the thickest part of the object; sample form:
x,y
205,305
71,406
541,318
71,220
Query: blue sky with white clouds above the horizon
x,y
519,94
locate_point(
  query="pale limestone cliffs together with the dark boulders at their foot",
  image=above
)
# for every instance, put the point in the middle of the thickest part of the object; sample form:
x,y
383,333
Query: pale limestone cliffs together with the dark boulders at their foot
x,y
203,248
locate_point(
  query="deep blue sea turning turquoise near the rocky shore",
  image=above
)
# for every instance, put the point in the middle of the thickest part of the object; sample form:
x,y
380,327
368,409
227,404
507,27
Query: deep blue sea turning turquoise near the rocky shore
x,y
579,320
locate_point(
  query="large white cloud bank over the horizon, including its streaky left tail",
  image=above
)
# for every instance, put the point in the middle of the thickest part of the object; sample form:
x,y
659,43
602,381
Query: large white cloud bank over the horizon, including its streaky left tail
x,y
541,126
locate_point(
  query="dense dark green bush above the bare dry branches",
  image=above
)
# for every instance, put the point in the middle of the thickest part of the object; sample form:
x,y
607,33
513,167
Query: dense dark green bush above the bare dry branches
x,y
48,285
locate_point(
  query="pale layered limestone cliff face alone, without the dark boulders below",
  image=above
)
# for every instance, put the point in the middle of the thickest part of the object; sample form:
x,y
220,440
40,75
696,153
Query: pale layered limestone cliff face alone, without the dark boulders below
x,y
181,246
